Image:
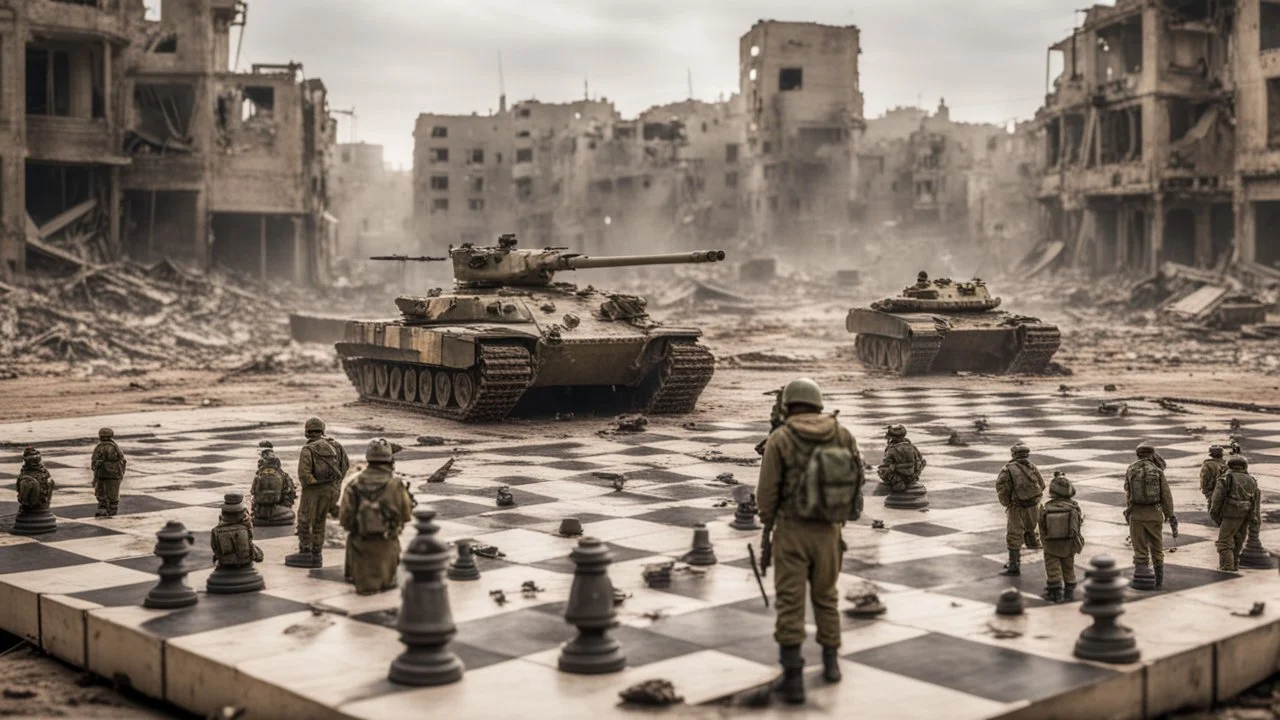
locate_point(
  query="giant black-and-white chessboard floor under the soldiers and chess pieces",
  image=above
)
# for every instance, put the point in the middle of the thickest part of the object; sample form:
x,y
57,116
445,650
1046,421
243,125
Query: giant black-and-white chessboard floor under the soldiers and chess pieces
x,y
309,646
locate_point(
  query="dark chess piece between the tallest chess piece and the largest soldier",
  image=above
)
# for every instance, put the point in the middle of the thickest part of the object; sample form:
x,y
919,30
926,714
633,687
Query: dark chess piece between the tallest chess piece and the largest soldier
x,y
591,610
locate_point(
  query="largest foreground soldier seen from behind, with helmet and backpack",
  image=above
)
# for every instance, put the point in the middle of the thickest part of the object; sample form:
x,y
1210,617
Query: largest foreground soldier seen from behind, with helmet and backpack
x,y
811,484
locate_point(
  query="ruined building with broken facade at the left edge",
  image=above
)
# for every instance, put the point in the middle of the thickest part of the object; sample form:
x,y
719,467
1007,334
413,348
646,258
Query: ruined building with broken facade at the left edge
x,y
136,138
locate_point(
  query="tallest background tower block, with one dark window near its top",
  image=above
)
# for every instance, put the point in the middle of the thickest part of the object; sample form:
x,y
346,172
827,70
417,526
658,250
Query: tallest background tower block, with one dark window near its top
x,y
804,120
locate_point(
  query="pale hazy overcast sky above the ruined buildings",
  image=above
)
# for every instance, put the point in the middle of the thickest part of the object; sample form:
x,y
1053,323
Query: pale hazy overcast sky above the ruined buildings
x,y
394,60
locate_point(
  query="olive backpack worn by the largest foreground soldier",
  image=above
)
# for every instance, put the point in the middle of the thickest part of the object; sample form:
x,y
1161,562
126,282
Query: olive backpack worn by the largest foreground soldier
x,y
830,487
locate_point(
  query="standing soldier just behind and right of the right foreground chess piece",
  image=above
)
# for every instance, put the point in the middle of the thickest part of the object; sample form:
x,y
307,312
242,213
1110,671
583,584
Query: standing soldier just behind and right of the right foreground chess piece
x,y
1149,504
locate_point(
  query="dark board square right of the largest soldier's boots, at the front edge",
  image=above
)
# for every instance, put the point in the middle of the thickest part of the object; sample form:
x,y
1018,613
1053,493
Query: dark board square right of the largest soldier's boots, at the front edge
x,y
995,673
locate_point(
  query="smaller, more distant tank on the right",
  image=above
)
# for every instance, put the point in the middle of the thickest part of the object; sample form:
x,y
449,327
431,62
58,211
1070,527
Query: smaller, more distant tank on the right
x,y
944,326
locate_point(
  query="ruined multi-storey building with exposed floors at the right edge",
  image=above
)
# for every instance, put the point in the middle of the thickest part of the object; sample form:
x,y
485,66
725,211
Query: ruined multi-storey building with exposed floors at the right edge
x,y
1162,140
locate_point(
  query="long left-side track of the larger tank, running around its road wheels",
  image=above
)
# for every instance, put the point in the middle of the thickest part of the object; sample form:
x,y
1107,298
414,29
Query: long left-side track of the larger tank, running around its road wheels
x,y
505,373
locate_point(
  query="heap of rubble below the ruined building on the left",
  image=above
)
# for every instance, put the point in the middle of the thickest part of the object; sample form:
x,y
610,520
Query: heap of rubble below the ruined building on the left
x,y
126,317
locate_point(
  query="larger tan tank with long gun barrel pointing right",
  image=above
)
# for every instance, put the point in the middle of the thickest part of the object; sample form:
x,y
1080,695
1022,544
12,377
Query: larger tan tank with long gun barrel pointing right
x,y
510,335
